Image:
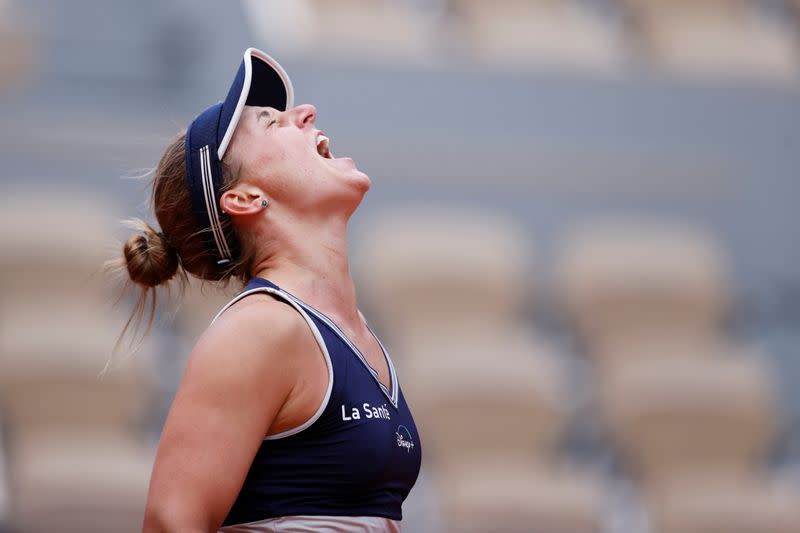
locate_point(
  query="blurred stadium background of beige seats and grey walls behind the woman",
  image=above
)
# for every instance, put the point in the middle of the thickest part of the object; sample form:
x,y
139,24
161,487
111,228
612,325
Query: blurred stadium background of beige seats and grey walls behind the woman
x,y
580,247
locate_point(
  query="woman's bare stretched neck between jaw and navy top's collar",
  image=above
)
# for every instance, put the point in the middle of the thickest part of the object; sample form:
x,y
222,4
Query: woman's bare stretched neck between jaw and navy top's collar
x,y
311,263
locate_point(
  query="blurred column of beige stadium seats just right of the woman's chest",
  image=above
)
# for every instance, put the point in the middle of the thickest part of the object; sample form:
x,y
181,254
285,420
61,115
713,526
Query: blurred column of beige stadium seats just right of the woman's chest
x,y
488,394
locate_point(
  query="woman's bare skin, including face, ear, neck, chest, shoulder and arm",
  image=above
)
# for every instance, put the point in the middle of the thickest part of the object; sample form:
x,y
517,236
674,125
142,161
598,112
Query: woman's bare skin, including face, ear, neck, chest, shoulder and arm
x,y
258,369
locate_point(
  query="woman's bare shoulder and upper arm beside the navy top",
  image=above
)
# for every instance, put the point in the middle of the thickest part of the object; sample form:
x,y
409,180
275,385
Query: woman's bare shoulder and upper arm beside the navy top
x,y
238,377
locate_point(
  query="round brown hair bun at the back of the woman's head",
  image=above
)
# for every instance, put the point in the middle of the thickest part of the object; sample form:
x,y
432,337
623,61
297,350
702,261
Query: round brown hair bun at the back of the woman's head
x,y
149,257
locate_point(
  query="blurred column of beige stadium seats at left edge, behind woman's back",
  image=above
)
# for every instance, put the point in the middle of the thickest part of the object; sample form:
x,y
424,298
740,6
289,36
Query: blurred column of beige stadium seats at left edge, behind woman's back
x,y
77,446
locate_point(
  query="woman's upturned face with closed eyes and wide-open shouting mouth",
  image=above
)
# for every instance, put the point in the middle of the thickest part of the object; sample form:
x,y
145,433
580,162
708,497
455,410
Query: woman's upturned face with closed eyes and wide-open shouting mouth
x,y
284,153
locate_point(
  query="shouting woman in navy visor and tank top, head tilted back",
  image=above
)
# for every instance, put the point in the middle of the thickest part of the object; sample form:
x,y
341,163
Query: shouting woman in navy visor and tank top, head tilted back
x,y
289,416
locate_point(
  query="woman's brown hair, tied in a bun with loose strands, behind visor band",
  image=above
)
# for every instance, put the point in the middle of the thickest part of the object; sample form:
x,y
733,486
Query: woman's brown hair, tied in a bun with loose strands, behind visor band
x,y
152,258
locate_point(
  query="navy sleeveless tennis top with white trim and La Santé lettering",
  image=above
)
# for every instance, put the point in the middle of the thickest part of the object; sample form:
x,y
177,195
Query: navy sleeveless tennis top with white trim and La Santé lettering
x,y
358,455
